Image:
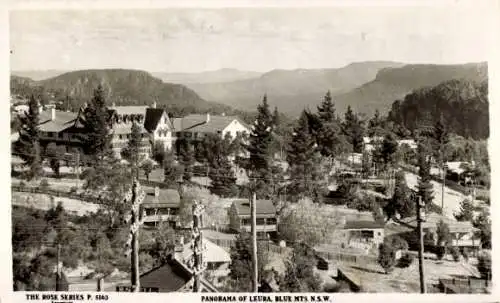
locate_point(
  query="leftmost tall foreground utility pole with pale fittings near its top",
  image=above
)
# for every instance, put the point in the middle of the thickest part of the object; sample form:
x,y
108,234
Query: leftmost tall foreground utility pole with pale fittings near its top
x,y
135,196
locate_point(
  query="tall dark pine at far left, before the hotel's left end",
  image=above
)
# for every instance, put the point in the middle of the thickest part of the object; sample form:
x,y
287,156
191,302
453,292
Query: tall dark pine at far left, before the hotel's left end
x,y
28,145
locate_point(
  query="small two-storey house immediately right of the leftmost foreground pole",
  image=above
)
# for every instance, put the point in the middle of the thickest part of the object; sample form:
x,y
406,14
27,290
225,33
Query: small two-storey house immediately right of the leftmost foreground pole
x,y
161,205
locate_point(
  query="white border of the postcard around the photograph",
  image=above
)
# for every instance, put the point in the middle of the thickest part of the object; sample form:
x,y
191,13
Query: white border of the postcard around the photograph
x,y
491,9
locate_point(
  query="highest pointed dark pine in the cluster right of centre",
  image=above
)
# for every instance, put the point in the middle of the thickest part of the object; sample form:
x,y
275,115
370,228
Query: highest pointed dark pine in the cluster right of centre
x,y
329,136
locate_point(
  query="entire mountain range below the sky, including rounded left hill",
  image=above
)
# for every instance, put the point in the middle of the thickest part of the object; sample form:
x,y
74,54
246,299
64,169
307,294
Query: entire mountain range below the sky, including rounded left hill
x,y
365,86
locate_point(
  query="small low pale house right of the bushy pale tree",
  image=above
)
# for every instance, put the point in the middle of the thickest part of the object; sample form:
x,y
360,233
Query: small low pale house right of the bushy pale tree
x,y
362,234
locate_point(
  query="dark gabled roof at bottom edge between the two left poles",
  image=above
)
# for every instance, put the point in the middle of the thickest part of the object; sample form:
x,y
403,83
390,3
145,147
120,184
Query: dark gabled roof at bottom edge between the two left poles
x,y
169,277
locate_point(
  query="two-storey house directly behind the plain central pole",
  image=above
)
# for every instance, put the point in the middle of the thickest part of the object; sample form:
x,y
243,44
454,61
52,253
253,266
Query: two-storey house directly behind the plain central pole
x,y
266,218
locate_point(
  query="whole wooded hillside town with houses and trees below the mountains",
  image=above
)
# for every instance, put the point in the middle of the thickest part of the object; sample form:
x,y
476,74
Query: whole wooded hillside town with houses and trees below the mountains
x,y
342,199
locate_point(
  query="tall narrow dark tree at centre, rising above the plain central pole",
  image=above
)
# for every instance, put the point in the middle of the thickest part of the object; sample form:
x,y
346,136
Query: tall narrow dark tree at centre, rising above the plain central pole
x,y
259,148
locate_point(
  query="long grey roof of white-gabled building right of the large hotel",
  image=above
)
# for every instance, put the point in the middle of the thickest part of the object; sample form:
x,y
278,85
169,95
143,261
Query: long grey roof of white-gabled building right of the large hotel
x,y
198,123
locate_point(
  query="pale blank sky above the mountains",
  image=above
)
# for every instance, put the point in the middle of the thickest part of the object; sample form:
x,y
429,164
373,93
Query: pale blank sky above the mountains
x,y
254,39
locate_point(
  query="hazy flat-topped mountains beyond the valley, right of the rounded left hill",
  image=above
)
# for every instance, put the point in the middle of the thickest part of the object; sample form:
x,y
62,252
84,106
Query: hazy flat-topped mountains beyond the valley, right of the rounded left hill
x,y
365,86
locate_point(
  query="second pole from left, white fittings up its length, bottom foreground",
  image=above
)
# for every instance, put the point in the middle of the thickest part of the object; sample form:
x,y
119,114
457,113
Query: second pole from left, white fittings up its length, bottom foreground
x,y
198,264
